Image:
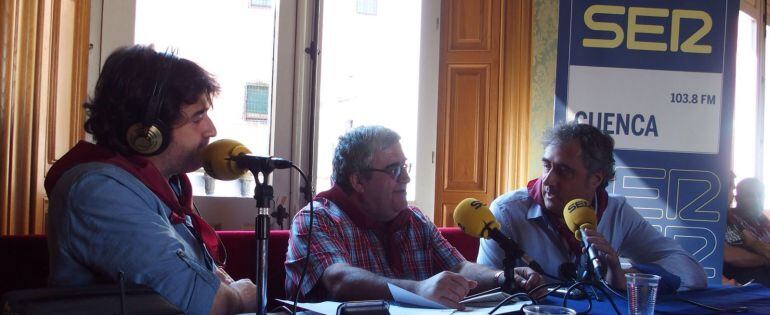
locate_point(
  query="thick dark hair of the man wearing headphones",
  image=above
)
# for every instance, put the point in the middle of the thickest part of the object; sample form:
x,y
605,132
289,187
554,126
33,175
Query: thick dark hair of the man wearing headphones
x,y
126,85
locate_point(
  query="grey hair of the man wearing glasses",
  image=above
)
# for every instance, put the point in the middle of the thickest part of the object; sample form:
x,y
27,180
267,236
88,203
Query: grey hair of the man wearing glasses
x,y
355,150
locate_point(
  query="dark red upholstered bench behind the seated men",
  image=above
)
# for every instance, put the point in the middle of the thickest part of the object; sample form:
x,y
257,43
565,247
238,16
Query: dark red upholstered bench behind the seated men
x,y
25,258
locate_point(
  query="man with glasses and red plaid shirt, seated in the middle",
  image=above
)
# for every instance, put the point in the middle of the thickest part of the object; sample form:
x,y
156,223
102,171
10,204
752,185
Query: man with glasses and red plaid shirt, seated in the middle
x,y
365,235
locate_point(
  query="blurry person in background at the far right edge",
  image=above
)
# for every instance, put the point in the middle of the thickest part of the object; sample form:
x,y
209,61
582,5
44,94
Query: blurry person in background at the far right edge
x,y
747,237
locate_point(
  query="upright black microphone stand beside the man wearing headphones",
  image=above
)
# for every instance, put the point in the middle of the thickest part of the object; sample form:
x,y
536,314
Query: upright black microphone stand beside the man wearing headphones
x,y
263,194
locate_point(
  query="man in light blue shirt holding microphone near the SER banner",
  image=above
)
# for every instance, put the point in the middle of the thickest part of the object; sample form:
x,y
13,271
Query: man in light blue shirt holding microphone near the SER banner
x,y
578,163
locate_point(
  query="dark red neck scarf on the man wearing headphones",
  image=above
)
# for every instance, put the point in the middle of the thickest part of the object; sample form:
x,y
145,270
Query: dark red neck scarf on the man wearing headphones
x,y
148,174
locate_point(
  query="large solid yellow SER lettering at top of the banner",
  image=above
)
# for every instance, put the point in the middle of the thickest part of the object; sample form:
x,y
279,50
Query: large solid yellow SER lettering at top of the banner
x,y
596,18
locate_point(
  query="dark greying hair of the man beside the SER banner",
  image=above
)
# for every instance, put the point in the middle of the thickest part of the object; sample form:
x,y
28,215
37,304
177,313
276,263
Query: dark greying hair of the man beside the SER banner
x,y
596,146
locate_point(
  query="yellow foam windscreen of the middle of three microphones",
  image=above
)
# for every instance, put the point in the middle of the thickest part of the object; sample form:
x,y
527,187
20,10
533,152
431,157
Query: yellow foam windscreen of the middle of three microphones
x,y
474,218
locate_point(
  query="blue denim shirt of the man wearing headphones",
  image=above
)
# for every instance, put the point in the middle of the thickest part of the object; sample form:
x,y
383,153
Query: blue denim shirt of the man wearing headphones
x,y
103,220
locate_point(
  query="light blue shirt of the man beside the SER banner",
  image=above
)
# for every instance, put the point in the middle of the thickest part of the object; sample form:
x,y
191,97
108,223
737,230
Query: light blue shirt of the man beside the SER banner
x,y
630,235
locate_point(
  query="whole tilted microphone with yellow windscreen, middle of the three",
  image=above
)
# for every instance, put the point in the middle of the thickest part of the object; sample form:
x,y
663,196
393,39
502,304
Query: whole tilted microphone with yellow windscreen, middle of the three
x,y
475,219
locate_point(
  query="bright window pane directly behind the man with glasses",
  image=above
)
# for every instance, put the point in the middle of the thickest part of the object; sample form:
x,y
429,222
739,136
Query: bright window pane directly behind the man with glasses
x,y
365,87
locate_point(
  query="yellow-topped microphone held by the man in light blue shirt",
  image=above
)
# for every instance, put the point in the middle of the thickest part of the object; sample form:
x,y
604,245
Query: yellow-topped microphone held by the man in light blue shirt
x,y
578,215
